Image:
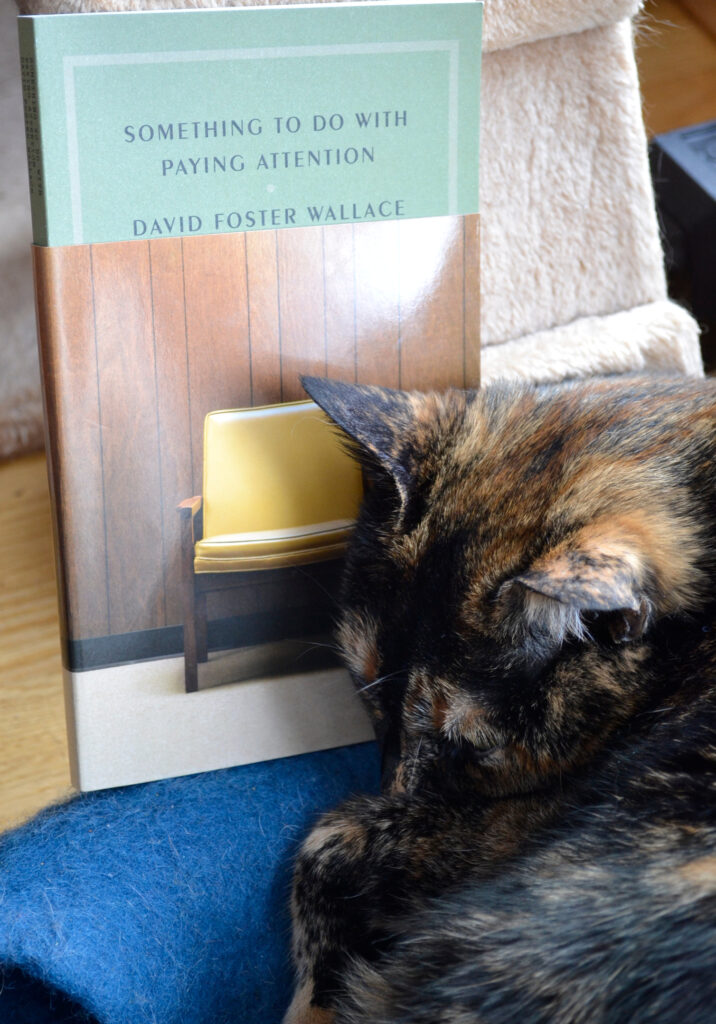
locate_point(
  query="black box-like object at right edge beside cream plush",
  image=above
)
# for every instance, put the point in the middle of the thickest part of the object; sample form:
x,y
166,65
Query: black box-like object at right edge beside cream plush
x,y
684,169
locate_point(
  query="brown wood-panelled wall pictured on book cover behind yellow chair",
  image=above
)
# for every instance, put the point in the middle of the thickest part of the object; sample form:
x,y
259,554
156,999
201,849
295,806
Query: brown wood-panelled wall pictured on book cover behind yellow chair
x,y
140,340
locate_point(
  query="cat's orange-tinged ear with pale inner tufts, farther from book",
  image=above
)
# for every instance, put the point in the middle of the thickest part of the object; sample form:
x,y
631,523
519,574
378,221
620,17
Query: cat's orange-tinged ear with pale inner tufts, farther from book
x,y
597,571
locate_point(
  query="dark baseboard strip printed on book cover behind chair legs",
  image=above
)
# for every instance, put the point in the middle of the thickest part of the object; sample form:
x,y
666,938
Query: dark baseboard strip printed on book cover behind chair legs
x,y
147,646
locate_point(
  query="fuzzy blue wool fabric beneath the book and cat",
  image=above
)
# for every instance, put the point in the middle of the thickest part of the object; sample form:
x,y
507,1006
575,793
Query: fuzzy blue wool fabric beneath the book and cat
x,y
164,904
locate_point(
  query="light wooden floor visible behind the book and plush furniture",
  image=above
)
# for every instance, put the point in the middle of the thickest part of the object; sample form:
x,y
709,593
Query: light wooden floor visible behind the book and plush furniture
x,y
678,59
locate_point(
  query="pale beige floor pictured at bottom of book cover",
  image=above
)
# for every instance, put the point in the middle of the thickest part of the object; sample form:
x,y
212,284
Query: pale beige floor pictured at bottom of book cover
x,y
135,723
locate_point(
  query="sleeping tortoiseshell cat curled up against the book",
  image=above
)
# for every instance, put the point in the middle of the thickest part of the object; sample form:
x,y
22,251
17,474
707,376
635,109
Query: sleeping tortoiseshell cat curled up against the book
x,y
529,614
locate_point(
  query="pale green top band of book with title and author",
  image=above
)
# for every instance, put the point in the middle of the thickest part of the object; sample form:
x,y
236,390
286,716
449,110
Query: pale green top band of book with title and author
x,y
196,122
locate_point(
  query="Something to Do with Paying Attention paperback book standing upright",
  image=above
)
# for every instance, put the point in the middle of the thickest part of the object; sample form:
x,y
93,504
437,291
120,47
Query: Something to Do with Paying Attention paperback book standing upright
x,y
223,201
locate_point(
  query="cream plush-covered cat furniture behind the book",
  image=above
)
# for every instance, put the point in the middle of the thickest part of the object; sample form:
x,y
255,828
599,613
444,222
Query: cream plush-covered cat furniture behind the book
x,y
572,278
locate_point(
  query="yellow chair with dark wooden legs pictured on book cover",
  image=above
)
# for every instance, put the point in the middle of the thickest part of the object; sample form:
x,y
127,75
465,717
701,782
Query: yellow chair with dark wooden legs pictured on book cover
x,y
279,491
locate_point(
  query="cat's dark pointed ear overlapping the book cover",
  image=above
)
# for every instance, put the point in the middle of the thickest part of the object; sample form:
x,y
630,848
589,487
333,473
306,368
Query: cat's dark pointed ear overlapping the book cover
x,y
382,422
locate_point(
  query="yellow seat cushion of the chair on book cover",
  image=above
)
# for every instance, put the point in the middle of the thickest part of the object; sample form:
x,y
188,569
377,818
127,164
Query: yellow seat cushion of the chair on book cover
x,y
273,548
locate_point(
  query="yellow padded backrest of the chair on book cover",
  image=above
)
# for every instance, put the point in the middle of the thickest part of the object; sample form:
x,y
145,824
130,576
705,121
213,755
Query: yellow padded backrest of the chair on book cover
x,y
276,467
